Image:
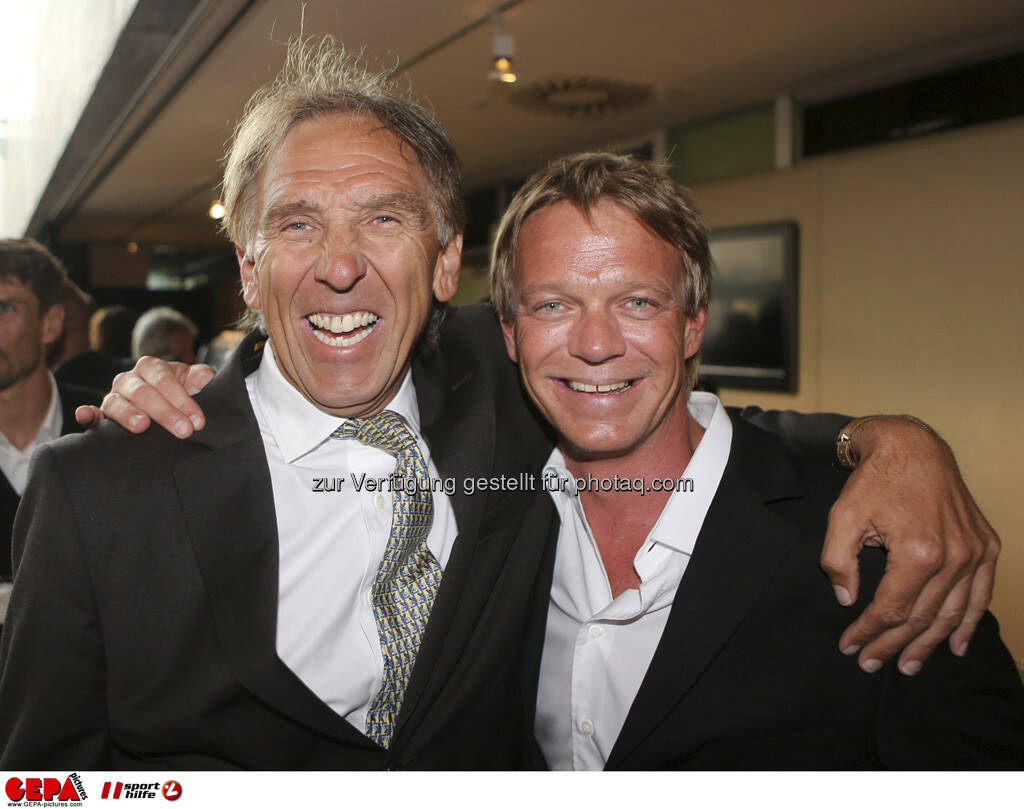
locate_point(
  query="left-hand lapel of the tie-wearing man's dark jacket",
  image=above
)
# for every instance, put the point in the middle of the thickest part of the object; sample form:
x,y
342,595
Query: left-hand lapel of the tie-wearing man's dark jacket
x,y
228,503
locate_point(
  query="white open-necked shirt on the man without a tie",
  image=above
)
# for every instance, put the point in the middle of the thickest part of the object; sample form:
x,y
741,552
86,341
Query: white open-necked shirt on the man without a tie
x,y
598,650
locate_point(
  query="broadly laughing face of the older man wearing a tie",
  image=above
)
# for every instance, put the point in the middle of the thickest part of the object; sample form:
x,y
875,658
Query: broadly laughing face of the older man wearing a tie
x,y
346,262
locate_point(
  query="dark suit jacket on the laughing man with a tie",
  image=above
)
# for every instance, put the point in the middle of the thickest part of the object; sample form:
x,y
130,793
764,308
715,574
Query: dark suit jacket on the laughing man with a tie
x,y
147,576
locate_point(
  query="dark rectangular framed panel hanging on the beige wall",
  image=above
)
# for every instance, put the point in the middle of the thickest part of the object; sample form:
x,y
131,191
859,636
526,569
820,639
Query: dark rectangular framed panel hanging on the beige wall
x,y
751,338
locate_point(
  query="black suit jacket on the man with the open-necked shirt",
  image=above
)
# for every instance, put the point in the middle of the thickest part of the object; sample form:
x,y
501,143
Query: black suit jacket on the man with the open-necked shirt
x,y
748,674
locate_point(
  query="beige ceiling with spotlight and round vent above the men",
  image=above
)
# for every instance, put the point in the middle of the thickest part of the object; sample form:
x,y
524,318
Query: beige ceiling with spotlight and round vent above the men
x,y
156,181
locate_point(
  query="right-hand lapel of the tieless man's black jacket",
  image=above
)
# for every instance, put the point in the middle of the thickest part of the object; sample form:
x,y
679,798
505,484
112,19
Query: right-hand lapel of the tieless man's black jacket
x,y
741,546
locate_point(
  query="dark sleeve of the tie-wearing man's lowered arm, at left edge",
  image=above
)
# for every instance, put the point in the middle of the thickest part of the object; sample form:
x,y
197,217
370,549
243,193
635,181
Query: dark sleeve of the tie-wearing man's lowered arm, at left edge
x,y
53,673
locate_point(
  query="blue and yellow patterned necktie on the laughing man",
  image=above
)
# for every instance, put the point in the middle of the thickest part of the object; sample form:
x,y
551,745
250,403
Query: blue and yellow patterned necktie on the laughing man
x,y
409,575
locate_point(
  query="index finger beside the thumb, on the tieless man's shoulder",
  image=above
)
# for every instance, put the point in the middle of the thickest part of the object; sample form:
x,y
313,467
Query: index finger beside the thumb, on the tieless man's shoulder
x,y
909,572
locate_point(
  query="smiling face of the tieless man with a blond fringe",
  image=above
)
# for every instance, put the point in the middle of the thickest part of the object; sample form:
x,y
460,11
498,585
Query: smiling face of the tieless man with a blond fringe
x,y
600,331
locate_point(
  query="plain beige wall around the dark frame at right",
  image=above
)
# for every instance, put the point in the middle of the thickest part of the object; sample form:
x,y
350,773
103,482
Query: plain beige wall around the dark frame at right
x,y
912,289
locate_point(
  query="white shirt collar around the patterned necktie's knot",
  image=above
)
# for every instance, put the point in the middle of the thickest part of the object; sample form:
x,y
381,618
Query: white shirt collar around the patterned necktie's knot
x,y
298,425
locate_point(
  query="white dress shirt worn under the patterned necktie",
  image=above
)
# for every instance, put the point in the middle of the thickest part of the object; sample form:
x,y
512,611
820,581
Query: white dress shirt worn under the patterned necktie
x,y
331,542
